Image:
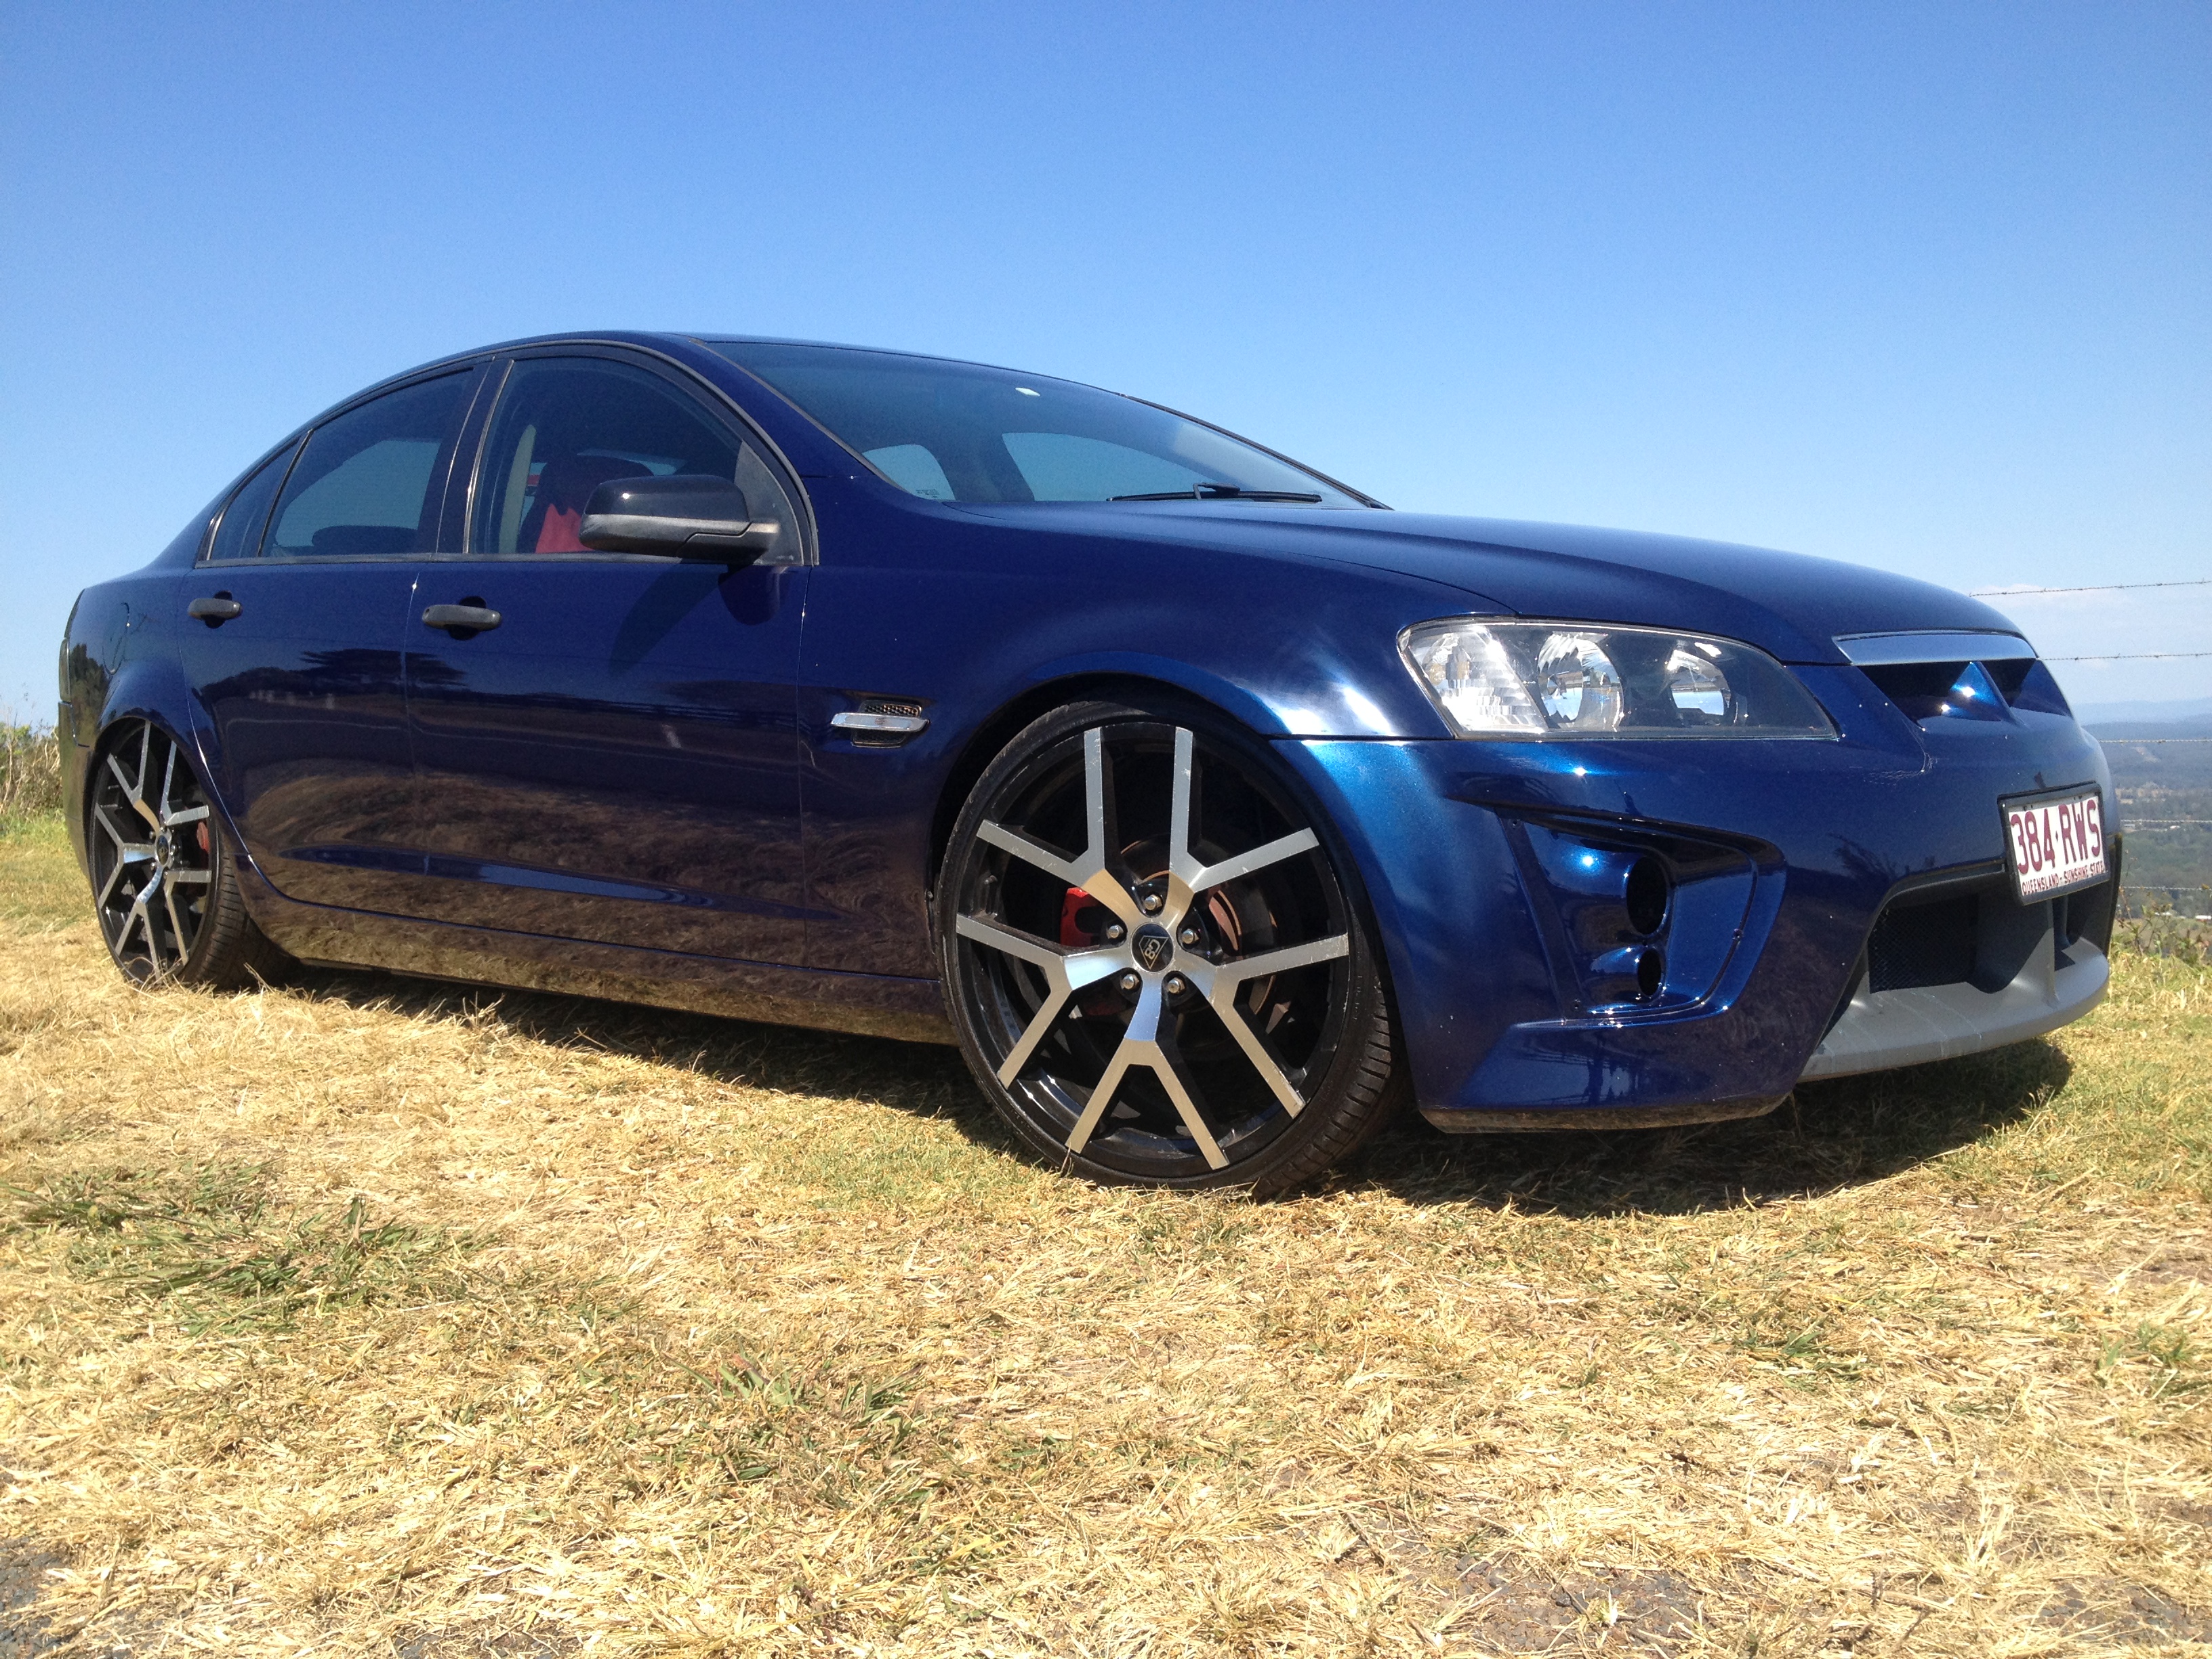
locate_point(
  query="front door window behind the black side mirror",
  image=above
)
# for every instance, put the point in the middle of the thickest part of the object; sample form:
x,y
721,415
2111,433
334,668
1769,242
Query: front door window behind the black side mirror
x,y
567,426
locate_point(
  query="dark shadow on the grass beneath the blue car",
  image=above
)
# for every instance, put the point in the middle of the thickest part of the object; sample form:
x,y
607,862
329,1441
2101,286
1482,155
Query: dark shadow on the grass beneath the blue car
x,y
1824,1138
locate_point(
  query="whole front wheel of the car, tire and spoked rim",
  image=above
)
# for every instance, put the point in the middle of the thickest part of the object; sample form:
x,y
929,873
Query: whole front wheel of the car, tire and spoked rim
x,y
1191,997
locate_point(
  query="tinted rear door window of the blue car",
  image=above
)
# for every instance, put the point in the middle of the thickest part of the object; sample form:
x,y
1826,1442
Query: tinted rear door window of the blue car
x,y
368,481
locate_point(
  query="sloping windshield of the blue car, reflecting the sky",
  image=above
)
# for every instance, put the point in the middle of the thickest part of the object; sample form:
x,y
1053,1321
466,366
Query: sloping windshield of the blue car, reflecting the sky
x,y
959,432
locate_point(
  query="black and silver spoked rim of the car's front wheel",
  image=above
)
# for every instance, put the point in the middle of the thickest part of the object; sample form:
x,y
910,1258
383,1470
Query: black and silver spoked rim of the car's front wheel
x,y
1165,1001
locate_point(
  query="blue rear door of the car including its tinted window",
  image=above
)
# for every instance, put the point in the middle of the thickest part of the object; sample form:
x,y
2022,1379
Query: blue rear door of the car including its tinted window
x,y
293,638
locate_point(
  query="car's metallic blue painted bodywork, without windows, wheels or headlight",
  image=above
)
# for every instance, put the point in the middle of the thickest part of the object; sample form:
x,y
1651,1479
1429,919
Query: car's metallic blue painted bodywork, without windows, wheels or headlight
x,y
634,786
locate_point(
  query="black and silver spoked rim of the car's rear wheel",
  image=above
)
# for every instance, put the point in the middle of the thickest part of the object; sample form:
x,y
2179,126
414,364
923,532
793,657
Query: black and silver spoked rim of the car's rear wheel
x,y
152,851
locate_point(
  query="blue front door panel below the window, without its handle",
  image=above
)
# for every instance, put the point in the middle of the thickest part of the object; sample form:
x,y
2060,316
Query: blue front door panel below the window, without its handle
x,y
629,707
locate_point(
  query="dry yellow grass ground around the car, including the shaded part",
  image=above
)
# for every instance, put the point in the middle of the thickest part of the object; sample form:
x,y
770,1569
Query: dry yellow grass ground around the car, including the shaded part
x,y
379,1317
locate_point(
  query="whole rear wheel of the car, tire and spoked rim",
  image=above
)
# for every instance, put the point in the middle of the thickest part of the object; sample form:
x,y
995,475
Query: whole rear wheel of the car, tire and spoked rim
x,y
165,881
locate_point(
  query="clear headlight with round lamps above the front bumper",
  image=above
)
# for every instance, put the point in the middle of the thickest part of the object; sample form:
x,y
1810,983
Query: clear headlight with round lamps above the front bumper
x,y
1572,680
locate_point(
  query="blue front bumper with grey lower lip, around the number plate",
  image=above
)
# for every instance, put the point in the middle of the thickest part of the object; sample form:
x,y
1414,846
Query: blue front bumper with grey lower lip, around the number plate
x,y
1786,857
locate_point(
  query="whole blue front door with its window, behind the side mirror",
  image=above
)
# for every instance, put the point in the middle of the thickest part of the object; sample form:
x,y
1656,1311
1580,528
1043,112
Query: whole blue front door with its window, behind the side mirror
x,y
616,760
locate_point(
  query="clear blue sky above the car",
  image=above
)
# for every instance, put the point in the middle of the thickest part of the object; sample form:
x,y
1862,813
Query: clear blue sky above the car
x,y
1908,284
